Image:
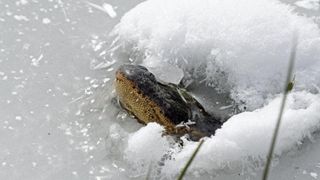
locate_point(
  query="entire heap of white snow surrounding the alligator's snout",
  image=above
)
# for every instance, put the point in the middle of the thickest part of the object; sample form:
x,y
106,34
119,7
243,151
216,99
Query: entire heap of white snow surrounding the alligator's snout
x,y
241,47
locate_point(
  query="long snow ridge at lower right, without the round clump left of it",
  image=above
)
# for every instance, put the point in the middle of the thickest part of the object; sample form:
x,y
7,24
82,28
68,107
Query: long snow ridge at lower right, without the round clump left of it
x,y
245,138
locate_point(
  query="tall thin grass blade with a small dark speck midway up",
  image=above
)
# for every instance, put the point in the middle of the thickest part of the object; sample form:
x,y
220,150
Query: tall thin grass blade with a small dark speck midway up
x,y
288,87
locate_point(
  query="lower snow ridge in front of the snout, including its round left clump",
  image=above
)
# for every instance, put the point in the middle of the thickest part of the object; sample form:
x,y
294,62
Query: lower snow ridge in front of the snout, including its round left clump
x,y
239,146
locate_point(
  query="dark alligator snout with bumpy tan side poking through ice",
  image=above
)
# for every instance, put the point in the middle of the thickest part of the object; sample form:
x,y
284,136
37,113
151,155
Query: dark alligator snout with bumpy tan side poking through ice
x,y
151,101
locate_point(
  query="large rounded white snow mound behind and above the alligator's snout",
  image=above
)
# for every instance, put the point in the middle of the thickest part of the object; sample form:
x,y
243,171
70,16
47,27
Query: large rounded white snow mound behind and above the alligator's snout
x,y
239,46
